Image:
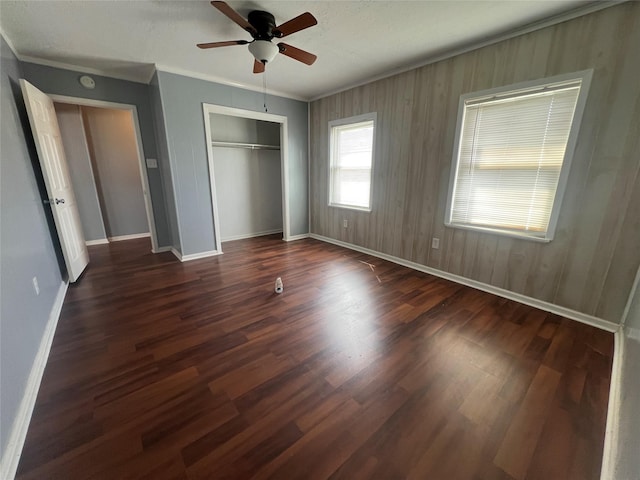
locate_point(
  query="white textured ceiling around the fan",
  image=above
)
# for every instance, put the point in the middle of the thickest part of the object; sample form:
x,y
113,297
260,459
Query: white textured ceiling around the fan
x,y
355,40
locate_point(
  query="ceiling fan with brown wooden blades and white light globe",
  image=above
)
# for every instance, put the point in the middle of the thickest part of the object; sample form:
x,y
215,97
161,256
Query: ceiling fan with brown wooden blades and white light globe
x,y
262,28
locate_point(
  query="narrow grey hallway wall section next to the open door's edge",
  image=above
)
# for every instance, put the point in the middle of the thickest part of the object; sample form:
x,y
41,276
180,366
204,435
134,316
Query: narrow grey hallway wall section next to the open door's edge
x,y
79,161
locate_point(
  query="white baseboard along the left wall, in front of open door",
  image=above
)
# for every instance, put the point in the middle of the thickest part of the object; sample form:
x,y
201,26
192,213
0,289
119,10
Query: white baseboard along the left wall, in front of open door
x,y
18,432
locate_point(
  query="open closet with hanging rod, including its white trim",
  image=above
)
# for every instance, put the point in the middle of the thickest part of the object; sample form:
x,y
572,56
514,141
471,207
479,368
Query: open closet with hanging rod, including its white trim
x,y
247,157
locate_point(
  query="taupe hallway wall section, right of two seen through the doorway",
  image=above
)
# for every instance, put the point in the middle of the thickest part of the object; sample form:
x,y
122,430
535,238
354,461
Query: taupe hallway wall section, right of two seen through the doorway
x,y
112,145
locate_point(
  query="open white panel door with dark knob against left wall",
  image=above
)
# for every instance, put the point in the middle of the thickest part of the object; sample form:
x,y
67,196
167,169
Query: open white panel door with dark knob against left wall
x,y
46,133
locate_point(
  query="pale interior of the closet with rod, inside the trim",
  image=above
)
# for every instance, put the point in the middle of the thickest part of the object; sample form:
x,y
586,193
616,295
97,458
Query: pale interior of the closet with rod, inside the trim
x,y
247,175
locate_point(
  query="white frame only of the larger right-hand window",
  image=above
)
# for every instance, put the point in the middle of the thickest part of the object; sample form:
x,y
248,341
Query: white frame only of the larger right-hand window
x,y
522,88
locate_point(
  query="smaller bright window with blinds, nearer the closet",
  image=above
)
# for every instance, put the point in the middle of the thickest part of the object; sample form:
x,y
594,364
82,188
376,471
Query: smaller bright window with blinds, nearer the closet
x,y
351,146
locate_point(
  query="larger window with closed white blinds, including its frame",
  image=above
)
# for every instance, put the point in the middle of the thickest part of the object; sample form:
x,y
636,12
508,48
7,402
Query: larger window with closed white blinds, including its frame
x,y
512,156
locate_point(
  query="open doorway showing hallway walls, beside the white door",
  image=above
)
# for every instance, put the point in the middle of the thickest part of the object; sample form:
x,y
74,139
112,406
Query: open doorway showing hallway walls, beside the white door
x,y
108,169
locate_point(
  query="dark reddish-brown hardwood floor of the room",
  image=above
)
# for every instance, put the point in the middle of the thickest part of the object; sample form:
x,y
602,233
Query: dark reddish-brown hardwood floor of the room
x,y
360,369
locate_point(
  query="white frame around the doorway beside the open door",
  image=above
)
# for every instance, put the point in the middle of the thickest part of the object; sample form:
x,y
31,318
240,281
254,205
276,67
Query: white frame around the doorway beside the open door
x,y
87,102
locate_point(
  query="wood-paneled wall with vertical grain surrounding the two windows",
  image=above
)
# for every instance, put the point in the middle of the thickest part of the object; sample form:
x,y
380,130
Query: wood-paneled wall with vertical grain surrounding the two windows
x,y
591,264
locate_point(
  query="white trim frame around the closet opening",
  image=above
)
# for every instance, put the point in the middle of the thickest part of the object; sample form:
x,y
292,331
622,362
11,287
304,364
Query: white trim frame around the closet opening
x,y
209,108
